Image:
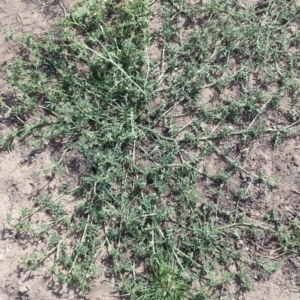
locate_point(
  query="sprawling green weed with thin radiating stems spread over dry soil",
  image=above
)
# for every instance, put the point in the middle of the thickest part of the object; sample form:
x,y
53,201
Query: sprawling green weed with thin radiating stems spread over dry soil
x,y
171,222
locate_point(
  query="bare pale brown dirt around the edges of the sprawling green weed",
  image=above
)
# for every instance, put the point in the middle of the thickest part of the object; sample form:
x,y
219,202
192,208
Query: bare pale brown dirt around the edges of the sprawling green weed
x,y
21,178
